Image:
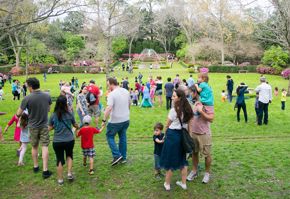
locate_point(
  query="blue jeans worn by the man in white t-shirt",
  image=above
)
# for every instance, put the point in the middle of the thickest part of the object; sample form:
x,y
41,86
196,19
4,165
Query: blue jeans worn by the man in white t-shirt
x,y
112,130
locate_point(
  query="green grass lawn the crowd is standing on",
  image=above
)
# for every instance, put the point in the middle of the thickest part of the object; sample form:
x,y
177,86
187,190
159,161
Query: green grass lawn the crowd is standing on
x,y
248,161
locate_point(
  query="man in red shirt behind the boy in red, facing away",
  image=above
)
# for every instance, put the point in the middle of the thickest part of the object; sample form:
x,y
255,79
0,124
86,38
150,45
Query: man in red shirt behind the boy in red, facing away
x,y
93,97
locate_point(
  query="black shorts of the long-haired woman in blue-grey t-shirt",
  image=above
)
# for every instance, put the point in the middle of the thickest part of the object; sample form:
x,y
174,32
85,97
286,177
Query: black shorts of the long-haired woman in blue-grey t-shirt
x,y
61,147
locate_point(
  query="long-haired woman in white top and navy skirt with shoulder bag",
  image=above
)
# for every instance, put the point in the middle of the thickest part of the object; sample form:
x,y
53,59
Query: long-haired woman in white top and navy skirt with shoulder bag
x,y
173,156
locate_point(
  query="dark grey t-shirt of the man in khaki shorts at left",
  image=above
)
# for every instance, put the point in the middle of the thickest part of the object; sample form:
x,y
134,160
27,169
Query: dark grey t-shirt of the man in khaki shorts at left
x,y
38,104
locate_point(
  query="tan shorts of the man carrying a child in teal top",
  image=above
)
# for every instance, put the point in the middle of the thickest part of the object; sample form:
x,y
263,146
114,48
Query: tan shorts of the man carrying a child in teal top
x,y
202,144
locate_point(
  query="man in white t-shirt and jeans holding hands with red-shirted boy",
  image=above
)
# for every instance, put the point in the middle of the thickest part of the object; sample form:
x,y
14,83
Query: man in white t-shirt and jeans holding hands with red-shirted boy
x,y
118,107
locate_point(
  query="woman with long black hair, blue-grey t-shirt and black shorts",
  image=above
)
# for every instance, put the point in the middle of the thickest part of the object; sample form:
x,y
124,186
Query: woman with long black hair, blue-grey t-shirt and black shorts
x,y
63,140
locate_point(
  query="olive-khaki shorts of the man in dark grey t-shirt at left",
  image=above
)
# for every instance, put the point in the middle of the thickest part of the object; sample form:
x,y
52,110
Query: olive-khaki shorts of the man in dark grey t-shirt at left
x,y
39,134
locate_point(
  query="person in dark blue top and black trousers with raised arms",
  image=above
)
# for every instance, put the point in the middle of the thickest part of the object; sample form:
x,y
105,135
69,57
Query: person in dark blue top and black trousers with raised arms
x,y
241,101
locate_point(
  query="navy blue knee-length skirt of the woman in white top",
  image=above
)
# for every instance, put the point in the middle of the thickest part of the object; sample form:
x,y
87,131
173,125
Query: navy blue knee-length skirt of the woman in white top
x,y
173,156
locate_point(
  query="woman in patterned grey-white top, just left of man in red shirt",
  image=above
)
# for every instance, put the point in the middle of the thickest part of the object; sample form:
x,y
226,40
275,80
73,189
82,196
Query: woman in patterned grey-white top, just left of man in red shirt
x,y
82,105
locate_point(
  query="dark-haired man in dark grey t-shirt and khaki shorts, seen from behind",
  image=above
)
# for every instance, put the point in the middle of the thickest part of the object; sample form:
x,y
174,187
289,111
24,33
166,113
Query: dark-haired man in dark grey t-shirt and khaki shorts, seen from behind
x,y
38,105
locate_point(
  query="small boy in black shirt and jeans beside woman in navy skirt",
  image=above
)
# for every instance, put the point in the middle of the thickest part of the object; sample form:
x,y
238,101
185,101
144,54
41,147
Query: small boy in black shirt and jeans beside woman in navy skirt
x,y
158,139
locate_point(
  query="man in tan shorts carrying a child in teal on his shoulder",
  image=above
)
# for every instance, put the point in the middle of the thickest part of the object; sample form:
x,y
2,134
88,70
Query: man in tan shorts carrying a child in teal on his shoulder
x,y
200,132
